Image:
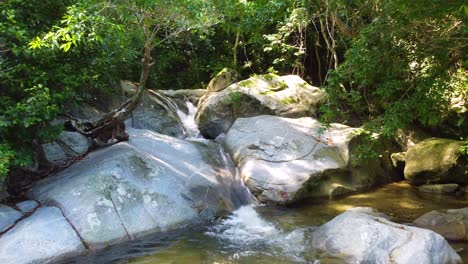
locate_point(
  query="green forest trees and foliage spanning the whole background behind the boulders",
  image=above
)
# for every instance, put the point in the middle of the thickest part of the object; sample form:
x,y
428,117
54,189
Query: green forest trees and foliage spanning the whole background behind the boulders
x,y
384,64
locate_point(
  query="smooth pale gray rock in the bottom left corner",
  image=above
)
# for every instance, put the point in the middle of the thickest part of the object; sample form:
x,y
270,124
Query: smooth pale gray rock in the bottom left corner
x,y
43,237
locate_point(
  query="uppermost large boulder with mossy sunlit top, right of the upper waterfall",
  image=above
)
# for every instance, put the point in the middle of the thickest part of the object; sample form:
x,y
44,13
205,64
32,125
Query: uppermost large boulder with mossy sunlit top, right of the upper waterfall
x,y
287,96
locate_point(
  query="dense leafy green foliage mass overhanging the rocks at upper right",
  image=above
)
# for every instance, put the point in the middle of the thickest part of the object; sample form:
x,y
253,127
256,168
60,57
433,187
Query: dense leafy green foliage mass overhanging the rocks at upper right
x,y
400,68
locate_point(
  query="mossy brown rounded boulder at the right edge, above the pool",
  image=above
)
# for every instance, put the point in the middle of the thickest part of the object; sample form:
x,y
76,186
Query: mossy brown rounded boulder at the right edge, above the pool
x,y
436,160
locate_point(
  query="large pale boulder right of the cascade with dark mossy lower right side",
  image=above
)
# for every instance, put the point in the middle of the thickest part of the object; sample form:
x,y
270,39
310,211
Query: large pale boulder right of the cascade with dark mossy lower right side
x,y
283,160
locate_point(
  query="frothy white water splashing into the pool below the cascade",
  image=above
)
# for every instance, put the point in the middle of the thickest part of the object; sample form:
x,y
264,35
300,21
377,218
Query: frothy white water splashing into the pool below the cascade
x,y
250,234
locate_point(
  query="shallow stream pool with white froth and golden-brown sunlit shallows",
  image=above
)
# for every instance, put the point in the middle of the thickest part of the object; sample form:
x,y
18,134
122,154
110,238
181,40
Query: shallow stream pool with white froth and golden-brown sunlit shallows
x,y
271,234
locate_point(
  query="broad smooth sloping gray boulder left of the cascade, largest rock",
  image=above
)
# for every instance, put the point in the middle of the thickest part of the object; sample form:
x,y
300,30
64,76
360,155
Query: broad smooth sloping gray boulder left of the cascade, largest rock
x,y
153,183
